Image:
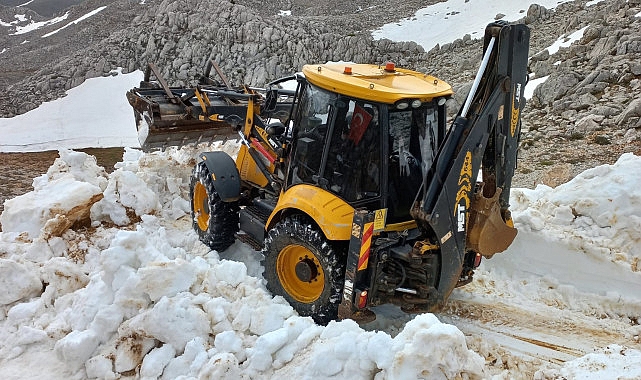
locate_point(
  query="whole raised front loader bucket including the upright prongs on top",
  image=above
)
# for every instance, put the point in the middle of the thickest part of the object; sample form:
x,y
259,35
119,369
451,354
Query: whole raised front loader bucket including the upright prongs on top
x,y
175,116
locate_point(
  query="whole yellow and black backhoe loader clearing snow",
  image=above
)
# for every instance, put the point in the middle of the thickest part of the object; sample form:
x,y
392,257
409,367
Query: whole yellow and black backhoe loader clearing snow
x,y
350,181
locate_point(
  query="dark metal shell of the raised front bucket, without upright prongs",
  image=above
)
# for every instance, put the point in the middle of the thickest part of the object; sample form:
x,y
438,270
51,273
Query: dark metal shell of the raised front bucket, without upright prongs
x,y
162,123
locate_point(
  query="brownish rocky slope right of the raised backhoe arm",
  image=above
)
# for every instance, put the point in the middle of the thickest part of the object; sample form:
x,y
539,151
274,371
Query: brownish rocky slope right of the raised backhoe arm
x,y
588,110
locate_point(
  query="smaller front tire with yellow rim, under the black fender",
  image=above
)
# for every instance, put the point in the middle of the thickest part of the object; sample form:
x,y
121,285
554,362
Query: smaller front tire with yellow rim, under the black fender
x,y
214,221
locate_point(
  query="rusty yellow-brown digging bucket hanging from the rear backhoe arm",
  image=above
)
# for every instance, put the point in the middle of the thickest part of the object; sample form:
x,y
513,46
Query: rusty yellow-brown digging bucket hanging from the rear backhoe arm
x,y
488,233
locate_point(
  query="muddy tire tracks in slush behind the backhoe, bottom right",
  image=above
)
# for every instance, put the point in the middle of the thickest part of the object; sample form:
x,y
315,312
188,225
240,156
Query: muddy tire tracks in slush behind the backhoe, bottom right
x,y
522,340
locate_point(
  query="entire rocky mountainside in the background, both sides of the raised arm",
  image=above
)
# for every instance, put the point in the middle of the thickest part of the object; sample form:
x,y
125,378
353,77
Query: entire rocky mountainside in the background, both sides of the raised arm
x,y
587,112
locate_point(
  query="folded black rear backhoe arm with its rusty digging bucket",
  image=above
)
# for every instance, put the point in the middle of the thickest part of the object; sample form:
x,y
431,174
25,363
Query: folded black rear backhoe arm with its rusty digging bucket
x,y
449,208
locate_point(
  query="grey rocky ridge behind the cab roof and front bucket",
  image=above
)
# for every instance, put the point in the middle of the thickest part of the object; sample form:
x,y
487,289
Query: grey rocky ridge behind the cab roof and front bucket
x,y
251,46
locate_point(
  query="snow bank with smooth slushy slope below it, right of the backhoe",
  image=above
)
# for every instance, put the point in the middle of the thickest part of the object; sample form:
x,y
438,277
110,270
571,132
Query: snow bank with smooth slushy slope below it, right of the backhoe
x,y
578,246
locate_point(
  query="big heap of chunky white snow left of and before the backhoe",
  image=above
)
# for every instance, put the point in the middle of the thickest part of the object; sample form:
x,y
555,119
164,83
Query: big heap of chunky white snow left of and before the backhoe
x,y
136,294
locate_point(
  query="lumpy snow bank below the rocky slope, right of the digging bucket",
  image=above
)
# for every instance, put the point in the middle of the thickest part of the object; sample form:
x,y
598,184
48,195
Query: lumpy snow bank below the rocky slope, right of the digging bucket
x,y
598,212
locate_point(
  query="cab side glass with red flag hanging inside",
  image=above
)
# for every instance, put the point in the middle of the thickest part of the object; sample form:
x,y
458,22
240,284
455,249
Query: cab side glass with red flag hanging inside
x,y
350,130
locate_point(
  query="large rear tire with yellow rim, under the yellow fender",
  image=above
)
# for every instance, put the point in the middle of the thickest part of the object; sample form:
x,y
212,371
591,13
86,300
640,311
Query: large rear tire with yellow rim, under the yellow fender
x,y
303,267
